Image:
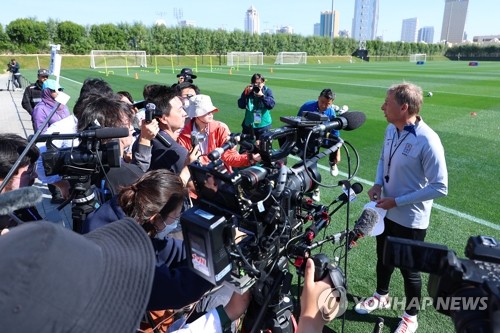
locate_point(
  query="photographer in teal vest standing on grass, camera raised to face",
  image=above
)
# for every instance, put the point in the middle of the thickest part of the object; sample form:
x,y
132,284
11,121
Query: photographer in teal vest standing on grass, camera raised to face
x,y
257,100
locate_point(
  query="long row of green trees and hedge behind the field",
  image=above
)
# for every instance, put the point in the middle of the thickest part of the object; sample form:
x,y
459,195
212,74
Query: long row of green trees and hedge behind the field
x,y
29,36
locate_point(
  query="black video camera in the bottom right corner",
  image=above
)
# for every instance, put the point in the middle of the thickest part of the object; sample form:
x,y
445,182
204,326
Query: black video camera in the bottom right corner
x,y
467,290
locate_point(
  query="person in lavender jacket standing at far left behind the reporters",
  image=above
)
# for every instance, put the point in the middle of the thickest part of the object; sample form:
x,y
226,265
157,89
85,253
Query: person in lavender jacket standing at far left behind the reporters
x,y
42,110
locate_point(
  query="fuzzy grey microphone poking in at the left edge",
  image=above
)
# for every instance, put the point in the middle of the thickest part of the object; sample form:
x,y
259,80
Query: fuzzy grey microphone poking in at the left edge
x,y
22,198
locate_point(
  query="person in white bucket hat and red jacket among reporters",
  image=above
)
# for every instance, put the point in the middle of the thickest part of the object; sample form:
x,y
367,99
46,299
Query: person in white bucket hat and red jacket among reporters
x,y
211,134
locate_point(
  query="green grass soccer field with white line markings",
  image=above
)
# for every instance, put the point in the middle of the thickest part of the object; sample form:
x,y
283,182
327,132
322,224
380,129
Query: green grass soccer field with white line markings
x,y
464,110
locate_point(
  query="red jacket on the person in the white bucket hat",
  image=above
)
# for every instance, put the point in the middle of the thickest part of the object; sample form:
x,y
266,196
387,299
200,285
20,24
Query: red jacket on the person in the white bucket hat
x,y
218,133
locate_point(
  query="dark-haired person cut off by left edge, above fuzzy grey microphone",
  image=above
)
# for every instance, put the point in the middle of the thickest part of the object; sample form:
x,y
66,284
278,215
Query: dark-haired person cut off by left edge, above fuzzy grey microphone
x,y
11,147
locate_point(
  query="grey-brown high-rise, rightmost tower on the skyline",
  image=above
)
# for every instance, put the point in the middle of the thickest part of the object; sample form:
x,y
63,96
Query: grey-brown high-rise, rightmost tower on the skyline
x,y
455,13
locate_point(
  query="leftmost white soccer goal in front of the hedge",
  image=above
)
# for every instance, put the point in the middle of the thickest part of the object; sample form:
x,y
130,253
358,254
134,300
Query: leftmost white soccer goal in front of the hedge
x,y
117,59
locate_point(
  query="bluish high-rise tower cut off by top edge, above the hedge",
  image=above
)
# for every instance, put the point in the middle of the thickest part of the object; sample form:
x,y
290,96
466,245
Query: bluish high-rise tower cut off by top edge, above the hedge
x,y
365,21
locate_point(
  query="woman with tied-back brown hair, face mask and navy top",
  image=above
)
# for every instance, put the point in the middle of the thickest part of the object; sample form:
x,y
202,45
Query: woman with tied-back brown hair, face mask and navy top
x,y
155,201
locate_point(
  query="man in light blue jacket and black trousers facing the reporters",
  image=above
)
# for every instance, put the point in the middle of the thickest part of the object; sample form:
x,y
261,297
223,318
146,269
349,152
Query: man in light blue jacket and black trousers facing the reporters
x,y
411,173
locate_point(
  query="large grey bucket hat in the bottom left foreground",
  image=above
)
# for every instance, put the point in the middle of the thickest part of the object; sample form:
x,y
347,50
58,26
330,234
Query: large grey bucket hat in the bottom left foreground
x,y
55,280
